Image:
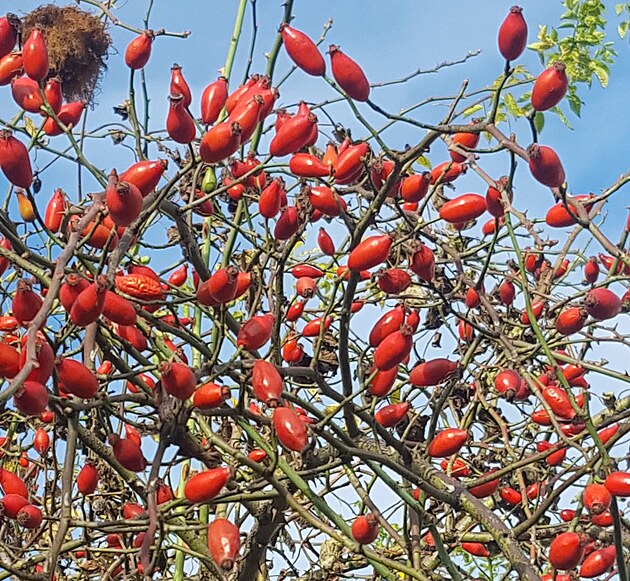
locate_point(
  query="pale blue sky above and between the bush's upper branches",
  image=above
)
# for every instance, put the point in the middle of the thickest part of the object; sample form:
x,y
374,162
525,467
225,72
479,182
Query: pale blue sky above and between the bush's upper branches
x,y
389,41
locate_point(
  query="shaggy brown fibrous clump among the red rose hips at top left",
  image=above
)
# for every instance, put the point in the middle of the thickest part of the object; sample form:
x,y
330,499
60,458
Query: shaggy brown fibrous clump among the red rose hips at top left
x,y
78,45
